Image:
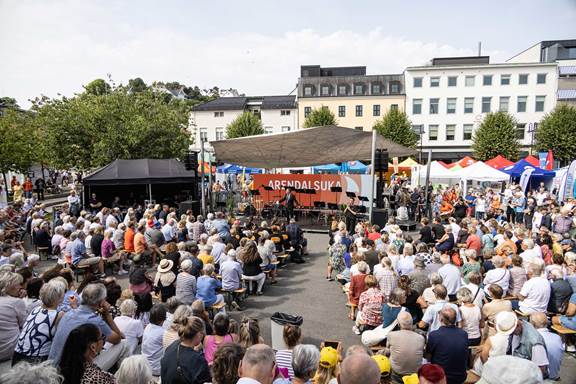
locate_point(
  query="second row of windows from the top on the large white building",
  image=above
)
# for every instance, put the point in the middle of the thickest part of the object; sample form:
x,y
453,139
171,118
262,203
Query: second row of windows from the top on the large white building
x,y
486,106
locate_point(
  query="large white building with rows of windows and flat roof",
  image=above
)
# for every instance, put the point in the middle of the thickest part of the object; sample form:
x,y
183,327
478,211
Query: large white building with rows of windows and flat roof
x,y
448,99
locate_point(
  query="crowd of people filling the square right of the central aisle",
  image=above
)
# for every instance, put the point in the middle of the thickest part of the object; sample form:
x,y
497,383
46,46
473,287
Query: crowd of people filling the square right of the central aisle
x,y
492,274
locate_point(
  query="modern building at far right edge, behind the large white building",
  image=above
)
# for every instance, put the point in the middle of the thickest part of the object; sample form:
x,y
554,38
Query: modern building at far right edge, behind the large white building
x,y
562,52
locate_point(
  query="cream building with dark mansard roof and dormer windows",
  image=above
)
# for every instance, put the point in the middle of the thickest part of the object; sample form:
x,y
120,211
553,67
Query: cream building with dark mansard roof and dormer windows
x,y
356,99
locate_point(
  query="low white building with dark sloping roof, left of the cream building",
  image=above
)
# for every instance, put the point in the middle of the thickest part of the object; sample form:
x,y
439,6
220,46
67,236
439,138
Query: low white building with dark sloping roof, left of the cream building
x,y
208,121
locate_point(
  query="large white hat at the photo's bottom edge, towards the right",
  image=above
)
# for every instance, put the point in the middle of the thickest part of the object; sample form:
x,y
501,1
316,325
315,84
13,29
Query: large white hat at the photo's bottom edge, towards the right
x,y
507,369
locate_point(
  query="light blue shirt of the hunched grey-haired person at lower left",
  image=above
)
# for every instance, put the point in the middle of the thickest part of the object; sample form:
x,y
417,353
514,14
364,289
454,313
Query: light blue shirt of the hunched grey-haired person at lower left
x,y
70,321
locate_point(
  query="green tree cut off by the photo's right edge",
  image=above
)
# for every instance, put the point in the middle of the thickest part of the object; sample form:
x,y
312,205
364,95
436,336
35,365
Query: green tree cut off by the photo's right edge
x,y
556,132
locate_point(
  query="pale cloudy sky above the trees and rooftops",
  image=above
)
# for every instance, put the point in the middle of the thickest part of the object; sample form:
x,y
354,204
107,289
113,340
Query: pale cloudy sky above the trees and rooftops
x,y
54,47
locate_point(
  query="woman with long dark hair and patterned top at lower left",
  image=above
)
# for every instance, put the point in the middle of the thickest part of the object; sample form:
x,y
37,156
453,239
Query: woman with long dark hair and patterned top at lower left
x,y
78,362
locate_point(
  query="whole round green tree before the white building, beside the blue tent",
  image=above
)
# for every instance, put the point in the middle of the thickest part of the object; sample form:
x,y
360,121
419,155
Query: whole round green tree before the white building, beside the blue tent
x,y
496,135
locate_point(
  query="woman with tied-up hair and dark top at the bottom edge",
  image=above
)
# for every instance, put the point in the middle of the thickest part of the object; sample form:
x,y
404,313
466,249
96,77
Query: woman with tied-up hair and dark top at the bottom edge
x,y
181,362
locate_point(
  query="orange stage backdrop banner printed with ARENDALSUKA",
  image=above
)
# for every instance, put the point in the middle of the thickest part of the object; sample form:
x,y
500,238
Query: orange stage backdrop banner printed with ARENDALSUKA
x,y
359,184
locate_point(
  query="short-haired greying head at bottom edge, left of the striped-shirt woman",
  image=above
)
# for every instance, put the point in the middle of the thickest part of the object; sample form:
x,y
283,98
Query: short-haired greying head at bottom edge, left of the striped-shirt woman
x,y
257,366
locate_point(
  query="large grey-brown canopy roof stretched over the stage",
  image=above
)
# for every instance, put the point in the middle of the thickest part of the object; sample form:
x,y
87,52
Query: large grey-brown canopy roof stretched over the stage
x,y
304,147
